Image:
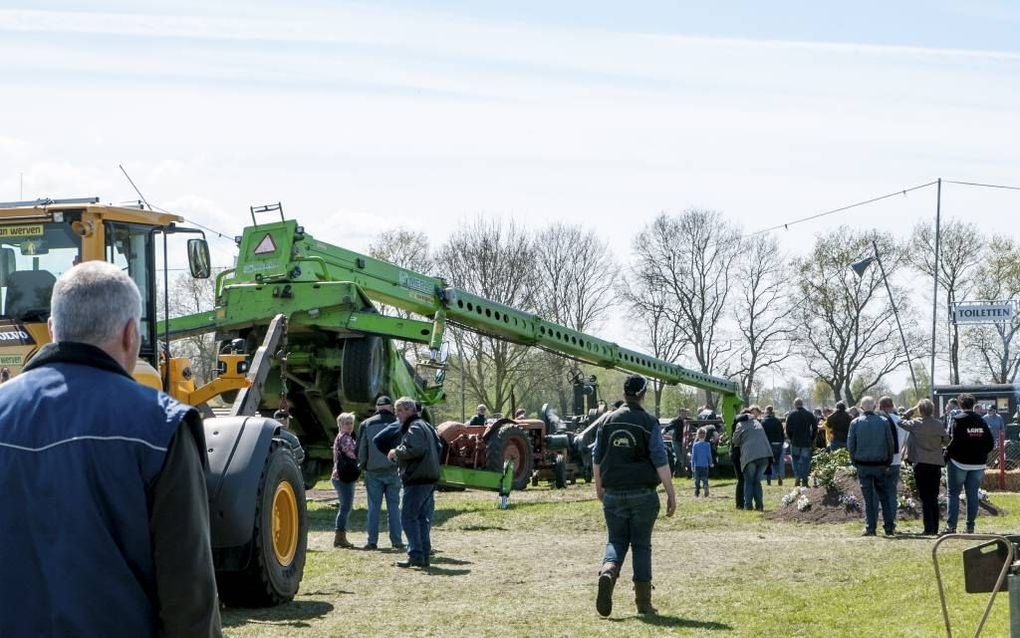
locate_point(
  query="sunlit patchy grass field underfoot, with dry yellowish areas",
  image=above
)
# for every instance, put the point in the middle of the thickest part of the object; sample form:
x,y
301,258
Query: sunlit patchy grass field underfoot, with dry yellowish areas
x,y
531,571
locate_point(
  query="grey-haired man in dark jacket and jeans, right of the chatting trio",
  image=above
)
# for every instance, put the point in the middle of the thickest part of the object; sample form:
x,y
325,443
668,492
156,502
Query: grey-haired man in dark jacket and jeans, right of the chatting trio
x,y
419,458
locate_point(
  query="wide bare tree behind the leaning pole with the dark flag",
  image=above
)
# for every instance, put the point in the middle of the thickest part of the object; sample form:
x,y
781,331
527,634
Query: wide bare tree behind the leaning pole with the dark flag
x,y
847,333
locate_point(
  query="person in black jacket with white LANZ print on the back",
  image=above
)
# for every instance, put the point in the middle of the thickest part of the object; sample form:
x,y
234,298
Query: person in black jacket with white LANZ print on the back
x,y
967,455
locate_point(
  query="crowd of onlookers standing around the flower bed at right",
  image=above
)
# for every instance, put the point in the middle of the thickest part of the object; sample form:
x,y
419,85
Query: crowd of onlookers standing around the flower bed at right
x,y
879,437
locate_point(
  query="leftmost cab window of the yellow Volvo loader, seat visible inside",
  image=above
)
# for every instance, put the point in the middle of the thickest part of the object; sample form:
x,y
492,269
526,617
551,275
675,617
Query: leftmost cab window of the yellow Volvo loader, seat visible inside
x,y
32,258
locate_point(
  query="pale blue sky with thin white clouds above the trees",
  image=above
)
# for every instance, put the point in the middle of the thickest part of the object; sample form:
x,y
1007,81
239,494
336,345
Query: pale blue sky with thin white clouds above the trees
x,y
364,117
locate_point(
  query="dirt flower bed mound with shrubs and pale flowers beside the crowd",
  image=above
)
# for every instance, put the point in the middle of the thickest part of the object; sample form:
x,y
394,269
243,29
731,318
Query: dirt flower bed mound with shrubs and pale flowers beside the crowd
x,y
845,504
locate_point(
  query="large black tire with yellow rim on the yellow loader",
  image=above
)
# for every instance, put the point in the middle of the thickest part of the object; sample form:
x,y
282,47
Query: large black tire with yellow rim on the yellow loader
x,y
270,580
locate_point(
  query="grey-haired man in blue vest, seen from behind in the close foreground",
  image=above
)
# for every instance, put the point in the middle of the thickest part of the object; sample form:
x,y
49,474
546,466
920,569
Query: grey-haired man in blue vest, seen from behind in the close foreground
x,y
106,529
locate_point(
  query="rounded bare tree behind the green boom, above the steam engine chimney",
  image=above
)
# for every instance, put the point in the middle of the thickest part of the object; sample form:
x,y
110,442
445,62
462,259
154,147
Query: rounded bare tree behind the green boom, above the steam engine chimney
x,y
576,276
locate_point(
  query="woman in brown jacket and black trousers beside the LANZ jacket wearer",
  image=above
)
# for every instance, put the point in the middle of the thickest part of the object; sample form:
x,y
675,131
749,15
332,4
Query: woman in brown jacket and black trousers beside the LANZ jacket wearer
x,y
925,452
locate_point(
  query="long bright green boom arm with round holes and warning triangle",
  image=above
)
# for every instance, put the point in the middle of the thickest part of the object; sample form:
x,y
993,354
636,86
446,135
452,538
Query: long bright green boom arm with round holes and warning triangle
x,y
282,269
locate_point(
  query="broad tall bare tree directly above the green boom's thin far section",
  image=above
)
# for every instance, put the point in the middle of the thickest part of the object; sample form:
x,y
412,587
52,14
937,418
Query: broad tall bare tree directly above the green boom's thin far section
x,y
690,260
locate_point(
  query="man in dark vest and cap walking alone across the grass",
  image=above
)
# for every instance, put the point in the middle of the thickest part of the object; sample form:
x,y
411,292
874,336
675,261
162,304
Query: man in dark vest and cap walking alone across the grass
x,y
630,462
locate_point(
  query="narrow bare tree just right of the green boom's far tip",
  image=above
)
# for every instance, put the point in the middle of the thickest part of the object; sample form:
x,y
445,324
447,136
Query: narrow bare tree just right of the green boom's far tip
x,y
763,311
